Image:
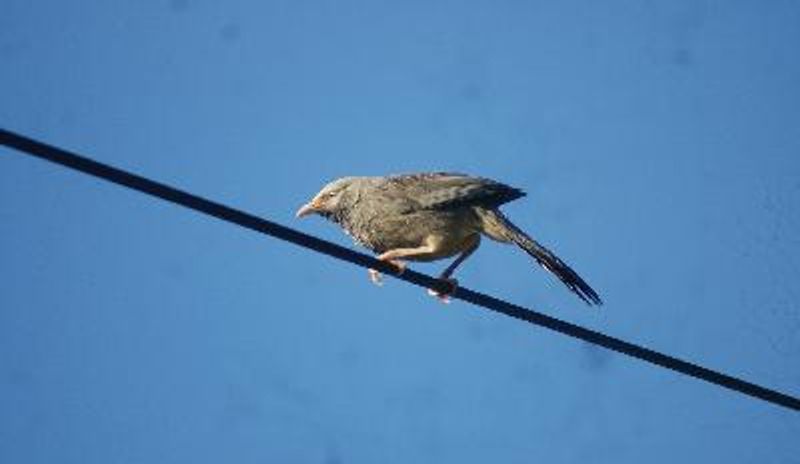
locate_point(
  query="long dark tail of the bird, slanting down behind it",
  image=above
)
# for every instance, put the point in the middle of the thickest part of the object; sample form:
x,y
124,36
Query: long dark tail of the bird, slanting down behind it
x,y
498,227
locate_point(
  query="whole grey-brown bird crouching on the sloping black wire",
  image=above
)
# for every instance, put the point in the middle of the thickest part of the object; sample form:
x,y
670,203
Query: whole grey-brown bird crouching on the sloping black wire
x,y
432,216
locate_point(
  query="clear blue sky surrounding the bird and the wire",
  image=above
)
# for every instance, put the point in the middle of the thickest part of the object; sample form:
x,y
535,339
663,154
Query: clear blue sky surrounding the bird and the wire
x,y
658,142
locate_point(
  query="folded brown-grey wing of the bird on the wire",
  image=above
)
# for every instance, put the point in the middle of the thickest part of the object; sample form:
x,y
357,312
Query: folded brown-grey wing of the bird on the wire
x,y
449,190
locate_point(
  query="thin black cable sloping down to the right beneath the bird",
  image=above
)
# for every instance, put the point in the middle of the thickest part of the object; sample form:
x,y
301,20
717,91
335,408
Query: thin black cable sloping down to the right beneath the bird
x,y
226,213
